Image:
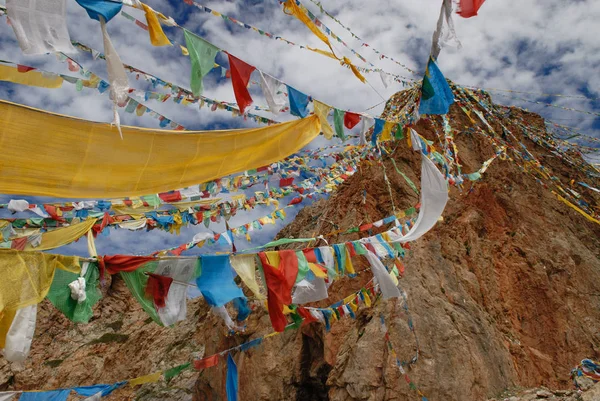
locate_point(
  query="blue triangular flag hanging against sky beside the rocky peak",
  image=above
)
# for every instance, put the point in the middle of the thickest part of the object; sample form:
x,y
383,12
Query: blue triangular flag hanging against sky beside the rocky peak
x,y
436,94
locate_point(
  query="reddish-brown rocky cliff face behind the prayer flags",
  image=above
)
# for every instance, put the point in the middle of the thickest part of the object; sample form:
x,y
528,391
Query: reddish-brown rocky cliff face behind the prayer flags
x,y
504,292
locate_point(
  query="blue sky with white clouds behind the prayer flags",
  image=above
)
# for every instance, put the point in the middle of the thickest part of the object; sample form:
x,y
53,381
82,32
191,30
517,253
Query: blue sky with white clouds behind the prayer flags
x,y
536,46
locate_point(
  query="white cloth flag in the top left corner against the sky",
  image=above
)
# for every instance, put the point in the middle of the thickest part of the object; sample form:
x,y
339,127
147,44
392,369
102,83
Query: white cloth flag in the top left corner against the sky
x,y
40,26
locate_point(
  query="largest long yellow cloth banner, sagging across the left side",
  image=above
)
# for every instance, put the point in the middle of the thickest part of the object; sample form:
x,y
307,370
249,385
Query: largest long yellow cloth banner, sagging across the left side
x,y
52,155
